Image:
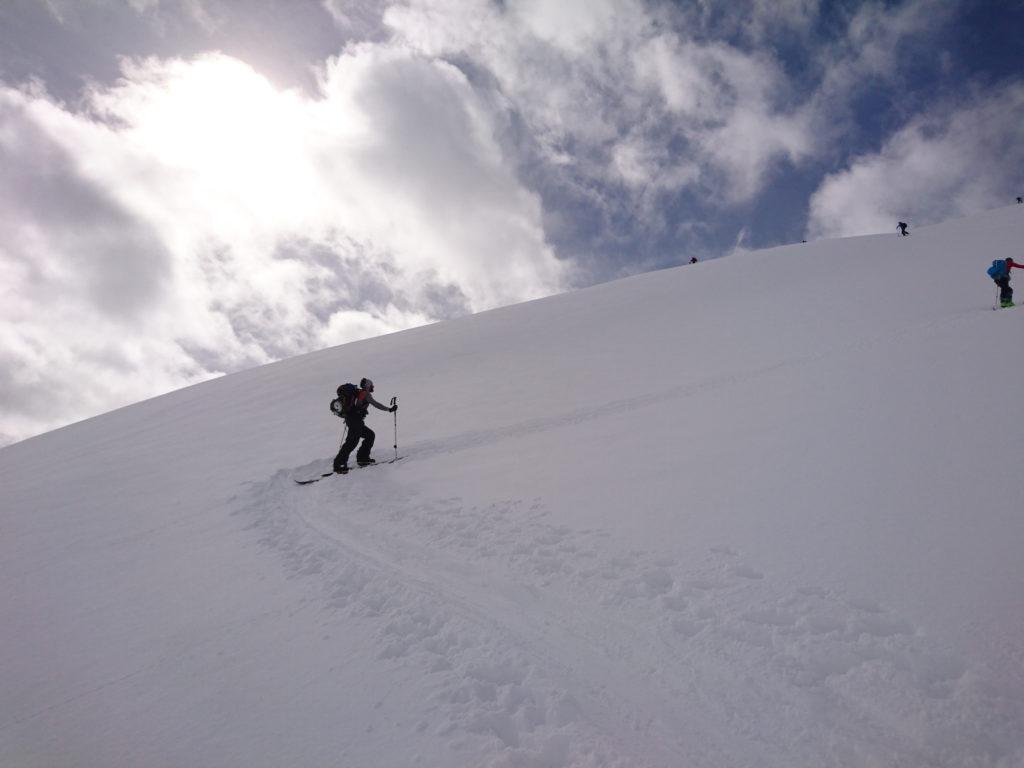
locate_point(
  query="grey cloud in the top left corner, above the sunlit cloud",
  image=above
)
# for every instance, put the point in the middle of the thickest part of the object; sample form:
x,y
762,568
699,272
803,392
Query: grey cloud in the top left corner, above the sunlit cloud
x,y
70,44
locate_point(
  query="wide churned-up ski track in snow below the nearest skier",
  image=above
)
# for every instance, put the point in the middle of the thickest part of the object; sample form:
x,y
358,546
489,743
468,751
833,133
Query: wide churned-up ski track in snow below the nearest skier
x,y
496,608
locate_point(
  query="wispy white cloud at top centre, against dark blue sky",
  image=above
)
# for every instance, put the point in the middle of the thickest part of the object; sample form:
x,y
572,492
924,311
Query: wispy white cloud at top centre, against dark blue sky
x,y
612,82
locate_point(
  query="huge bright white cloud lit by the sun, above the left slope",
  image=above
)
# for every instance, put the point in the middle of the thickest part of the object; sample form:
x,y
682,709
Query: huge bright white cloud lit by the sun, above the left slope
x,y
195,220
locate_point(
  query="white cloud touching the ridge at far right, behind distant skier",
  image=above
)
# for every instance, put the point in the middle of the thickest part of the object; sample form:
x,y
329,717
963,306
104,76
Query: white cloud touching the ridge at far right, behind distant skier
x,y
950,162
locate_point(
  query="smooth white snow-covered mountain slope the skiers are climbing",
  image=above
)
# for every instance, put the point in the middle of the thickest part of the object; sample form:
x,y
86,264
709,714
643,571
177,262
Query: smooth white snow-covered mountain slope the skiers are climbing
x,y
762,511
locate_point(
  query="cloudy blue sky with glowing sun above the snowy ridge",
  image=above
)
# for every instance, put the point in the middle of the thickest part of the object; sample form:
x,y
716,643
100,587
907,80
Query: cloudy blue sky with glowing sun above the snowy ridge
x,y
193,188
